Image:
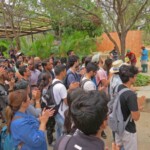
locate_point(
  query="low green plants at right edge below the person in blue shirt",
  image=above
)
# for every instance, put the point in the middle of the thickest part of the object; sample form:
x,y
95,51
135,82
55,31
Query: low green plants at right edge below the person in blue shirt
x,y
142,80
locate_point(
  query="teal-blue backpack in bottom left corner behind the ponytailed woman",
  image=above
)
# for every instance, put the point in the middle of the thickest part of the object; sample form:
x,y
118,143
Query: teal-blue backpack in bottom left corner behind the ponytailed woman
x,y
6,140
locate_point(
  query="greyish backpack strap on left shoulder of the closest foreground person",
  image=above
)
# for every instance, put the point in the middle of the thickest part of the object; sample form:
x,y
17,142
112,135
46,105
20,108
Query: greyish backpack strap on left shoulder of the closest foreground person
x,y
64,141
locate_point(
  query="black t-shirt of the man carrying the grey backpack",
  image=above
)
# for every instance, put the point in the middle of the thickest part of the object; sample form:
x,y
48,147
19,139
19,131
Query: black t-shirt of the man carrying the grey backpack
x,y
128,102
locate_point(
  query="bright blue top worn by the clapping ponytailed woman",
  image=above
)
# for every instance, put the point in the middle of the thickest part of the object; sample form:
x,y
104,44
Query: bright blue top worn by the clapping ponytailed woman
x,y
26,130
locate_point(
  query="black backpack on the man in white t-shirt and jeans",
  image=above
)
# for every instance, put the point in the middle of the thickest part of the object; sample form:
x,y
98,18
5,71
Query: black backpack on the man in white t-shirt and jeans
x,y
48,99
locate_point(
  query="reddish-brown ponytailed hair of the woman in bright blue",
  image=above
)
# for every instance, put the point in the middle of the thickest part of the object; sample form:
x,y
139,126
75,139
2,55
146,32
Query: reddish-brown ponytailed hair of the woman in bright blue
x,y
15,100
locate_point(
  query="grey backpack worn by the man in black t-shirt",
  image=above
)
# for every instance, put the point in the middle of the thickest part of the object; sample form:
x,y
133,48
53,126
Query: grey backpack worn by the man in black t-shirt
x,y
115,120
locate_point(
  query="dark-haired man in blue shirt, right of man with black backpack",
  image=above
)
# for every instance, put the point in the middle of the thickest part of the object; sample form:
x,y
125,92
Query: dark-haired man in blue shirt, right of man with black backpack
x,y
72,76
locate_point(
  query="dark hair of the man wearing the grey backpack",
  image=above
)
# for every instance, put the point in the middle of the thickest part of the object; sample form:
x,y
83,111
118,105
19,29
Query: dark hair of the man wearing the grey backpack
x,y
126,72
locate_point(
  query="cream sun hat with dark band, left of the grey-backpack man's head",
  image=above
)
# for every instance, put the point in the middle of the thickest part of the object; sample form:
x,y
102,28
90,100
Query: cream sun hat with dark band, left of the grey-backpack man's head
x,y
116,65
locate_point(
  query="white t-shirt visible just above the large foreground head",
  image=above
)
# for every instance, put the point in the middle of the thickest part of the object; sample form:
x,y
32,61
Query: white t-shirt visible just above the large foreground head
x,y
88,85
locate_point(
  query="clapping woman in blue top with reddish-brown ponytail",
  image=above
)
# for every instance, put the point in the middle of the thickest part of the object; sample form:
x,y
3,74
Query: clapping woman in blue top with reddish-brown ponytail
x,y
27,132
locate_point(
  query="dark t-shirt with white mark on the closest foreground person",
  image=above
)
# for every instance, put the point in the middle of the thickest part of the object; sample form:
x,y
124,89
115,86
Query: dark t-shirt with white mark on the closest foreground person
x,y
81,141
